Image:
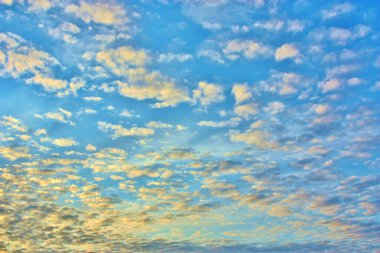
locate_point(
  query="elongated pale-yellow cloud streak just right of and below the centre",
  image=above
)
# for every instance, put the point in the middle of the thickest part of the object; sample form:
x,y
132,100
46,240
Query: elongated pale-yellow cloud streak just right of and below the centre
x,y
255,138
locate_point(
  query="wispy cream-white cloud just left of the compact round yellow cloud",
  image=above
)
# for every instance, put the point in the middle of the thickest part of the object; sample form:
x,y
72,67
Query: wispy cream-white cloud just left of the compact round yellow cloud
x,y
247,48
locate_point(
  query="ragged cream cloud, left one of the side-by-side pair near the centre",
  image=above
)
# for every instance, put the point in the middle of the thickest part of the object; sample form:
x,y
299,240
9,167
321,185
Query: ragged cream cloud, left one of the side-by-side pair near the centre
x,y
208,93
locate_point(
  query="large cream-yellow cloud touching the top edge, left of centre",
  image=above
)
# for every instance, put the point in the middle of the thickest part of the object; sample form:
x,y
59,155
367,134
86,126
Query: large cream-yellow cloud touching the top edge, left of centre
x,y
104,13
